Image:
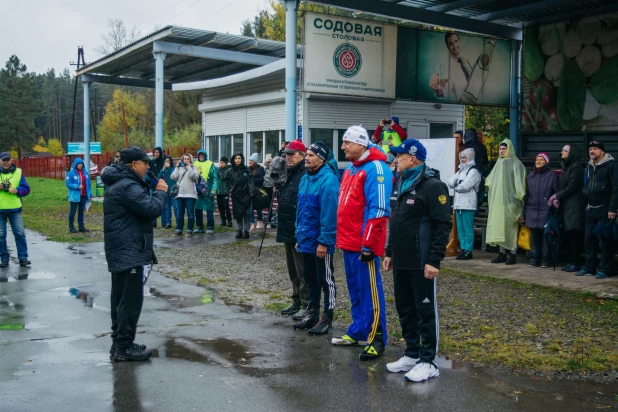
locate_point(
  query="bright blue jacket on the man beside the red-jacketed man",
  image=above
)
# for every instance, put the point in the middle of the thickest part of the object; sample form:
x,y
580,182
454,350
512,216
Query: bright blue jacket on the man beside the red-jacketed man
x,y
316,216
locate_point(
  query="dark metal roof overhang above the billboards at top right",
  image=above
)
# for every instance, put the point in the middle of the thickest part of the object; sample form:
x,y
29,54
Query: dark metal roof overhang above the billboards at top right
x,y
501,18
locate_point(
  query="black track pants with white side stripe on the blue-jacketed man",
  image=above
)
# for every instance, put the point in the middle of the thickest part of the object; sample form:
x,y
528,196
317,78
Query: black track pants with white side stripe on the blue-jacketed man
x,y
319,276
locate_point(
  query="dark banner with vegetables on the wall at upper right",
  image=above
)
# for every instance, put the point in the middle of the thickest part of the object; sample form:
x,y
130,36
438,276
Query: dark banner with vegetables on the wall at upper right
x,y
570,76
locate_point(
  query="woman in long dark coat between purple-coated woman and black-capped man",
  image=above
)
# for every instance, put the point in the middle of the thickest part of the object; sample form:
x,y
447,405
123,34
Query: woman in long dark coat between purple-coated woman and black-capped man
x,y
572,204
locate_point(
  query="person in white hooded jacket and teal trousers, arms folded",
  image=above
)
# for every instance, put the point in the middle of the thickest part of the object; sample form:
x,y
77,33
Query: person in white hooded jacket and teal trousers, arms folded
x,y
466,184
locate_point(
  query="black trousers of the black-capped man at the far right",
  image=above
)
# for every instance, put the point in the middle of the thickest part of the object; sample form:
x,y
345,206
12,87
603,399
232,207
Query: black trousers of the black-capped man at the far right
x,y
592,242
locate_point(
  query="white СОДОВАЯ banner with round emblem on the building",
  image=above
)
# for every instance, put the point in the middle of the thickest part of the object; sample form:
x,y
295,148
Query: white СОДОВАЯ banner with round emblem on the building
x,y
349,56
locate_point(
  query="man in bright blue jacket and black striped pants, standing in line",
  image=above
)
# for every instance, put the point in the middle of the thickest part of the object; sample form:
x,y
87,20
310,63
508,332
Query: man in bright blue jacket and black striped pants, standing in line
x,y
316,229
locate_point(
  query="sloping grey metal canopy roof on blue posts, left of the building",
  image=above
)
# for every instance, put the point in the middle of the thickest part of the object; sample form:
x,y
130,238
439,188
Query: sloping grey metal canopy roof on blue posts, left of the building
x,y
136,61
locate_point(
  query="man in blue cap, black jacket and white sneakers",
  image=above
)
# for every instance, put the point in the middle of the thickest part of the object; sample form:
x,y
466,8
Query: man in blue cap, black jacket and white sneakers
x,y
420,225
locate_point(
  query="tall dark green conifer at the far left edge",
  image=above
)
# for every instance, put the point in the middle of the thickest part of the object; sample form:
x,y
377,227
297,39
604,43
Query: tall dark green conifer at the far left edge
x,y
18,106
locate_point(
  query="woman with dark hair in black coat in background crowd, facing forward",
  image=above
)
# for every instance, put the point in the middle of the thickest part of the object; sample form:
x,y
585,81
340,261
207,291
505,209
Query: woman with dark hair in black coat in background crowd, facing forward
x,y
240,183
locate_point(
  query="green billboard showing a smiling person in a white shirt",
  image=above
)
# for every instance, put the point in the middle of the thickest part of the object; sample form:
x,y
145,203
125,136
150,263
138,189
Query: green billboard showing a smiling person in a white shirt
x,y
449,67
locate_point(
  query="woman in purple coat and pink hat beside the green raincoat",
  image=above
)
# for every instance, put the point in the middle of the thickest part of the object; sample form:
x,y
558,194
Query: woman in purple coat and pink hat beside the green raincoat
x,y
541,185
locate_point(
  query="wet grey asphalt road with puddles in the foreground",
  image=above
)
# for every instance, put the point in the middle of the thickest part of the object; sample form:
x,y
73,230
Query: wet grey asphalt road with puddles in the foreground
x,y
210,356
